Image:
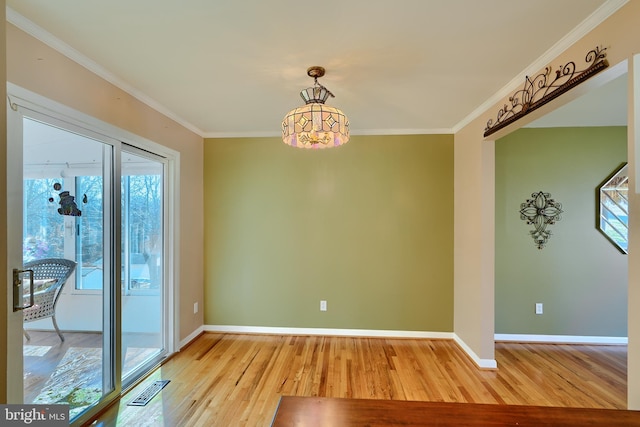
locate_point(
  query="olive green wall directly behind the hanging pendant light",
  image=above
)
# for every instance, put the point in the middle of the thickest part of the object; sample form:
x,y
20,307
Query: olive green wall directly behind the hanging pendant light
x,y
368,227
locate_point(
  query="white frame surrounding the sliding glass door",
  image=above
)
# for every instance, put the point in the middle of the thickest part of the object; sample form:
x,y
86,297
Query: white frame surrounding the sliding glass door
x,y
21,98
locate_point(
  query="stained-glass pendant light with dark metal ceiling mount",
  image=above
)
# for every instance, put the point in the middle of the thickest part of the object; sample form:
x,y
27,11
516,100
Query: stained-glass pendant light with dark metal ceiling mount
x,y
315,125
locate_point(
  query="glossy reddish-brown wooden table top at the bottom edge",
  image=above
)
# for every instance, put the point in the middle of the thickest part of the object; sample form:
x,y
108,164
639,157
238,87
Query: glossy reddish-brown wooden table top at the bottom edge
x,y
329,412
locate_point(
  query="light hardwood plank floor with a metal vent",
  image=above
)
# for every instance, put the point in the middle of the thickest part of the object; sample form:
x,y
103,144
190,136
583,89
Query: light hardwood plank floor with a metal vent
x,y
237,380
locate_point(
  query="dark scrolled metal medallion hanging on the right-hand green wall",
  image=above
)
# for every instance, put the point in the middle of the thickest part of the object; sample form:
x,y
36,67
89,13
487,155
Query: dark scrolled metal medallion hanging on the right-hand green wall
x,y
540,211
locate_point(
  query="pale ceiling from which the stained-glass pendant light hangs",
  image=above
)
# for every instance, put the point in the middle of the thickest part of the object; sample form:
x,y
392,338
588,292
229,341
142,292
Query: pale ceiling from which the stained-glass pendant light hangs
x,y
231,68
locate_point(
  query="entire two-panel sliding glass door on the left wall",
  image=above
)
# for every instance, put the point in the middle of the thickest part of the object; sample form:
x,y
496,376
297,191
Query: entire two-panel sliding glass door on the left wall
x,y
83,198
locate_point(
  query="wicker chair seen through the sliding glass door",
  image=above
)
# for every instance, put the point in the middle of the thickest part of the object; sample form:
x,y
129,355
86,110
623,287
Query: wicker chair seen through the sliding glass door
x,y
45,300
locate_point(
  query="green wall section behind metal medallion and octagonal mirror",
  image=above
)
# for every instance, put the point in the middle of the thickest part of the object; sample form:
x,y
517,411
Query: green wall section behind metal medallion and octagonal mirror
x,y
579,276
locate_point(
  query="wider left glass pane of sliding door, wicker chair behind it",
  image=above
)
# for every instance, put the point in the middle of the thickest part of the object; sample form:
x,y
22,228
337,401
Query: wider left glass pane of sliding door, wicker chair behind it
x,y
67,214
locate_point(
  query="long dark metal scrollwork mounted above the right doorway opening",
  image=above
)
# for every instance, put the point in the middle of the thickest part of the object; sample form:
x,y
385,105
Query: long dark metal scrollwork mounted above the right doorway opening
x,y
541,89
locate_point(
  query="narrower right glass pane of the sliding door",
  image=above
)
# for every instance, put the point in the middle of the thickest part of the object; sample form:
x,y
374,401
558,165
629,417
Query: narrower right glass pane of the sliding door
x,y
143,248
